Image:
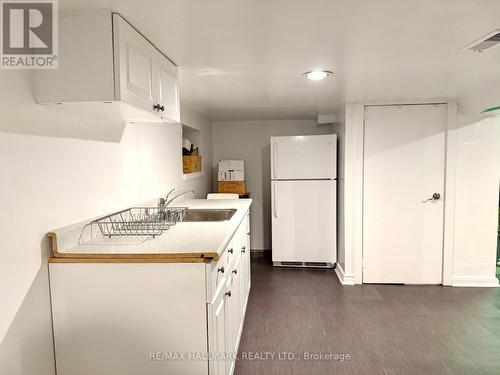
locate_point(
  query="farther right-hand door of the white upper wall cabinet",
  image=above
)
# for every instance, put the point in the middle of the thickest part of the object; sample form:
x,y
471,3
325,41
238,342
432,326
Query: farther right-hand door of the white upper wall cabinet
x,y
168,91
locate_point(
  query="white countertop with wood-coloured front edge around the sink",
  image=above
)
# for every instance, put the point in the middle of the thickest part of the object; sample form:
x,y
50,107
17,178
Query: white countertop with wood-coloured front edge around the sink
x,y
185,239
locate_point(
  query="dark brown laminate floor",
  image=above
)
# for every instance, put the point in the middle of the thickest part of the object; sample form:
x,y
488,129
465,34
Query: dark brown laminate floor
x,y
386,329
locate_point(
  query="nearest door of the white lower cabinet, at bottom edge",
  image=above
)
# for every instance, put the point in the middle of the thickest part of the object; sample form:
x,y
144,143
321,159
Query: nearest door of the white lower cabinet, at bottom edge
x,y
217,314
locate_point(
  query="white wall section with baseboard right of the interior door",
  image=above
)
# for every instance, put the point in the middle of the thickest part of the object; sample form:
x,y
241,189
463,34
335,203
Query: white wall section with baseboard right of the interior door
x,y
476,201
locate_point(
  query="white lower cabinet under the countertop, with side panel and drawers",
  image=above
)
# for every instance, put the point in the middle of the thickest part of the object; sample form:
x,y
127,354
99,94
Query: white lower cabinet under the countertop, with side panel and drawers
x,y
151,318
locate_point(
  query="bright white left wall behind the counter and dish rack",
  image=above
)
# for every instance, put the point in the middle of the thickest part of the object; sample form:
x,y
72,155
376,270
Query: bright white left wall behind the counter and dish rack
x,y
57,169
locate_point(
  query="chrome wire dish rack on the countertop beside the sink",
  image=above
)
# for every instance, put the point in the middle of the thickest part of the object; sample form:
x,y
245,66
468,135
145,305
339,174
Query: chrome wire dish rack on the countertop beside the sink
x,y
136,221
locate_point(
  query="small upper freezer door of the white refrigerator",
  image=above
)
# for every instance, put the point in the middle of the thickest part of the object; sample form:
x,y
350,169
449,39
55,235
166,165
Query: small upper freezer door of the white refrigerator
x,y
304,157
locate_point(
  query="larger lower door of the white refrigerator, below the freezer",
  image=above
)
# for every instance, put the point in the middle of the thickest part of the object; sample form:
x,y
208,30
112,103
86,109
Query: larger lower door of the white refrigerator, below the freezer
x,y
304,227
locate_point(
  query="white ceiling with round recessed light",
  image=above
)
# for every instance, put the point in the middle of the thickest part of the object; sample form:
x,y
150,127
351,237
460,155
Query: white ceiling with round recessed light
x,y
244,59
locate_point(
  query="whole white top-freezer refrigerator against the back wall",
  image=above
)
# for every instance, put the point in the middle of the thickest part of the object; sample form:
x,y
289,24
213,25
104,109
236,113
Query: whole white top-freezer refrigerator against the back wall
x,y
304,200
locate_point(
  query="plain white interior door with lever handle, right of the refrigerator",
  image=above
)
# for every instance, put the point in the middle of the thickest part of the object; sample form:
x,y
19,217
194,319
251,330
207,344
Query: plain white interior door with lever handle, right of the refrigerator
x,y
403,169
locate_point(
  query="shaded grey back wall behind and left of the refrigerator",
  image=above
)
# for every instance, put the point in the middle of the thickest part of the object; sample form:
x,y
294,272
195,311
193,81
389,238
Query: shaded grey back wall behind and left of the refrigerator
x,y
250,141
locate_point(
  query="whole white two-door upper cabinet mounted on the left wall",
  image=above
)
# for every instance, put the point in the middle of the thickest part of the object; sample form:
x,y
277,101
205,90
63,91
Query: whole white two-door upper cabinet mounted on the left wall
x,y
108,67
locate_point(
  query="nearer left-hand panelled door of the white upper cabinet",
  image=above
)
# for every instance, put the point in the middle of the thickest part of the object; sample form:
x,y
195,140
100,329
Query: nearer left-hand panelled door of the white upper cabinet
x,y
134,66
